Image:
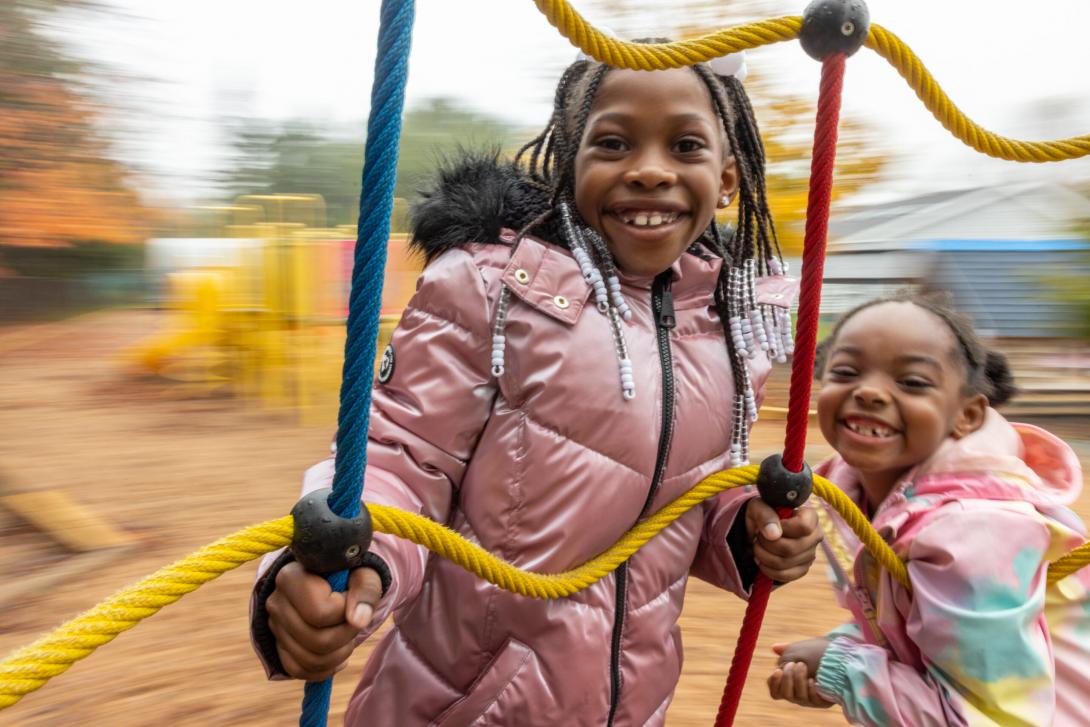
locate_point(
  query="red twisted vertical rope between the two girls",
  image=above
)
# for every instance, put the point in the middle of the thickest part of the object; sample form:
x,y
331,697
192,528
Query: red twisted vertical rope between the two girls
x,y
803,365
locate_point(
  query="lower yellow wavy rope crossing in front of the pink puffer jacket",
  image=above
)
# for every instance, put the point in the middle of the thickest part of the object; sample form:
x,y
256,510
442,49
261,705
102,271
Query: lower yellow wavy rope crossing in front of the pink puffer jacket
x,y
31,668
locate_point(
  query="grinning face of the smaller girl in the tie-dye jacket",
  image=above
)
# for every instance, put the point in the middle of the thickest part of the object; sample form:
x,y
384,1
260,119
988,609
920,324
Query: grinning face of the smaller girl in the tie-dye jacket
x,y
892,392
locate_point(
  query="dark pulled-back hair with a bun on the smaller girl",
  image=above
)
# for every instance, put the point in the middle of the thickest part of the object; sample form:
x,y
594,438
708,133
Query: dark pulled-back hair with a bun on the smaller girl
x,y
987,371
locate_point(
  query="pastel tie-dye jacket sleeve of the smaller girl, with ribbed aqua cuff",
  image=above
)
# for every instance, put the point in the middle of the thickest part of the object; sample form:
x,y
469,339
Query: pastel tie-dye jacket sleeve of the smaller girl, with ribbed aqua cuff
x,y
976,615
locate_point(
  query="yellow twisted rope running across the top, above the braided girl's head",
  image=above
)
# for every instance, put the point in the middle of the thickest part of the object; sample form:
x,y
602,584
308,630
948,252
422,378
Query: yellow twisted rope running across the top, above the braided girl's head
x,y
650,57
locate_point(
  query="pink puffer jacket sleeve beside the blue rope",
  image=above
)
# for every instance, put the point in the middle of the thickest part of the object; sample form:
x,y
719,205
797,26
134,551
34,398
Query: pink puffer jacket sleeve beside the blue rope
x,y
427,418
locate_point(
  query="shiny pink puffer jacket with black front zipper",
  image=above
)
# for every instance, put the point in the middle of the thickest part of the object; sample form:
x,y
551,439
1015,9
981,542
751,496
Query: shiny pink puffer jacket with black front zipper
x,y
547,467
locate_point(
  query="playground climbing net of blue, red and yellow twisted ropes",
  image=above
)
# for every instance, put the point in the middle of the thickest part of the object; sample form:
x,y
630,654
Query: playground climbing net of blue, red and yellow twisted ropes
x,y
31,668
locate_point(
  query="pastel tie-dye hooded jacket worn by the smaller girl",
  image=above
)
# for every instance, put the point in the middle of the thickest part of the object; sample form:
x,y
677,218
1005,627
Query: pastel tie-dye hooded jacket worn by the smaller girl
x,y
982,639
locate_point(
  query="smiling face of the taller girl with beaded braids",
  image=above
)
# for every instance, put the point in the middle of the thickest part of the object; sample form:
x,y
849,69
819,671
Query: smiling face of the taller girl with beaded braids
x,y
652,166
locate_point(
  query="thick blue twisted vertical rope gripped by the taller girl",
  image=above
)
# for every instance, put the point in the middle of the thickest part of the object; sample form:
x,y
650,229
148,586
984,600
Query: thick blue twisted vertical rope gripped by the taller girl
x,y
366,301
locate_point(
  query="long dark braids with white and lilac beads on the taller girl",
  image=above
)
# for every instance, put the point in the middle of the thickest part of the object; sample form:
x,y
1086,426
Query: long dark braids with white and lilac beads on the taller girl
x,y
749,249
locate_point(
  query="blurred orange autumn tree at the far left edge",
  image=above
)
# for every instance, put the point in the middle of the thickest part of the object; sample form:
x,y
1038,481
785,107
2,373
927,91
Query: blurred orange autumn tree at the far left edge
x,y
58,183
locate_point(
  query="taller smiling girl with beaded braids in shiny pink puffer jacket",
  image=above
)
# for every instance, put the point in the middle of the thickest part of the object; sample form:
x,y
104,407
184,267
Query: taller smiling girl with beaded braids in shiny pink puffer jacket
x,y
563,372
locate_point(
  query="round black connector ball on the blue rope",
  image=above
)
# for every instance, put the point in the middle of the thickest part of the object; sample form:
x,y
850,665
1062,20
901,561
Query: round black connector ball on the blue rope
x,y
325,543
